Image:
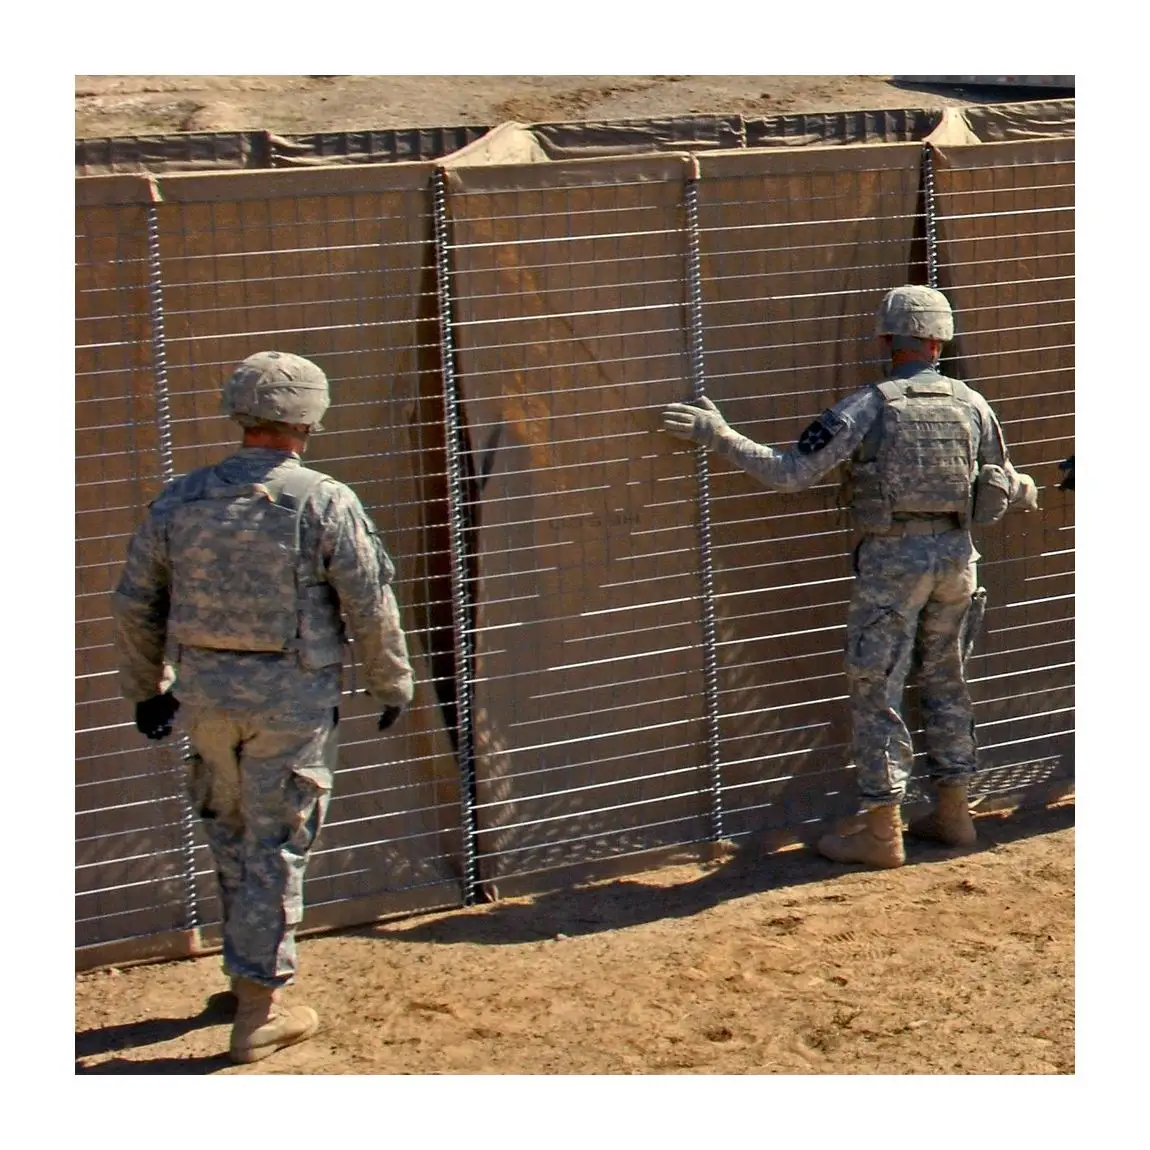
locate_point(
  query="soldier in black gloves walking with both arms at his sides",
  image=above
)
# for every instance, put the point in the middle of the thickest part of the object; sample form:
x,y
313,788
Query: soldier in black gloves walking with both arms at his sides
x,y
234,589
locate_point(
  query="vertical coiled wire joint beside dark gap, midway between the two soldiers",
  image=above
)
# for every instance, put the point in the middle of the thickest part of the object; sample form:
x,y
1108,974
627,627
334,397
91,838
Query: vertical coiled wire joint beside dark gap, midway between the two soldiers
x,y
458,535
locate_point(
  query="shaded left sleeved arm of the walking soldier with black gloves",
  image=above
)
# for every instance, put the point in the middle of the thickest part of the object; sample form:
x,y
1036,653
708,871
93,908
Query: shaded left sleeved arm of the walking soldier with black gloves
x,y
140,614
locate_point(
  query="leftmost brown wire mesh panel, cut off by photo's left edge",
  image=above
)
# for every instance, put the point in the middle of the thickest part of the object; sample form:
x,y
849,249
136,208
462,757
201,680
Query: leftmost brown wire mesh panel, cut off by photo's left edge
x,y
129,850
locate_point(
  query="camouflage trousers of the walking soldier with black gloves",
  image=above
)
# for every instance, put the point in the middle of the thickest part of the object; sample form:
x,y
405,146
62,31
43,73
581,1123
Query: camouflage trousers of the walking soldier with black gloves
x,y
262,786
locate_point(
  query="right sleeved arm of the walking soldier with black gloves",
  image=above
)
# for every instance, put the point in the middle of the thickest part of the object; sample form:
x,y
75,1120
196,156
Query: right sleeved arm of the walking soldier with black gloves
x,y
362,572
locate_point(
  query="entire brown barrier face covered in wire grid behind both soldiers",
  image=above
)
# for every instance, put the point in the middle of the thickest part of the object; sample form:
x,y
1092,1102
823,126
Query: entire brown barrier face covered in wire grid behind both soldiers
x,y
656,641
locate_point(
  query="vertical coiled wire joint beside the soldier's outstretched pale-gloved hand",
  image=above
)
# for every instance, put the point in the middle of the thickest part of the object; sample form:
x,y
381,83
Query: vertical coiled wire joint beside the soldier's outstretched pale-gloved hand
x,y
703,480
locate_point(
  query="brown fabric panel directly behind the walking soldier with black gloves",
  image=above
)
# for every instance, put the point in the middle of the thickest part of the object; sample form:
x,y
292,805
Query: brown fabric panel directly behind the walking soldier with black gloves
x,y
340,277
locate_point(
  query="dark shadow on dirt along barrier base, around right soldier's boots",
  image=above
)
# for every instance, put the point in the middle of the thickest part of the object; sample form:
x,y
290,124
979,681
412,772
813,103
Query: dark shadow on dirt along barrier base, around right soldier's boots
x,y
631,902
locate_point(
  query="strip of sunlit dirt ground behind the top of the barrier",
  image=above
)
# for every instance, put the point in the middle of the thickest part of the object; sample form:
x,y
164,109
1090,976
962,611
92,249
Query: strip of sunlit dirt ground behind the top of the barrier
x,y
137,105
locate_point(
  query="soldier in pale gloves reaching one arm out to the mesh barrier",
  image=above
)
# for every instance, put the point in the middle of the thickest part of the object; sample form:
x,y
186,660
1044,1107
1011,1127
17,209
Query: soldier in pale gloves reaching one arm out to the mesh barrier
x,y
926,459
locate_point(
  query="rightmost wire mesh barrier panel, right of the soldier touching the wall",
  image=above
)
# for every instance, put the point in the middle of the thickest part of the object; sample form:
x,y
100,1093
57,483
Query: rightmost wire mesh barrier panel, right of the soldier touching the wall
x,y
1006,223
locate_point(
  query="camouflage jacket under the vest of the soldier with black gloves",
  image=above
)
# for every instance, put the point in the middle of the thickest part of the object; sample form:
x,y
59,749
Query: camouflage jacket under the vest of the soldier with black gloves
x,y
340,547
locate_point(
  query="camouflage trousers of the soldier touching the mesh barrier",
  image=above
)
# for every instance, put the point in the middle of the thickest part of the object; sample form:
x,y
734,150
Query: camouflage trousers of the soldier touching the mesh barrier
x,y
910,601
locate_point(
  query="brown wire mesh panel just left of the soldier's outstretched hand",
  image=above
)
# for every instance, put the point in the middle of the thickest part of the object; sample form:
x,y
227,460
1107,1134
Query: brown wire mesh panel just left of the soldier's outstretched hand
x,y
571,334
